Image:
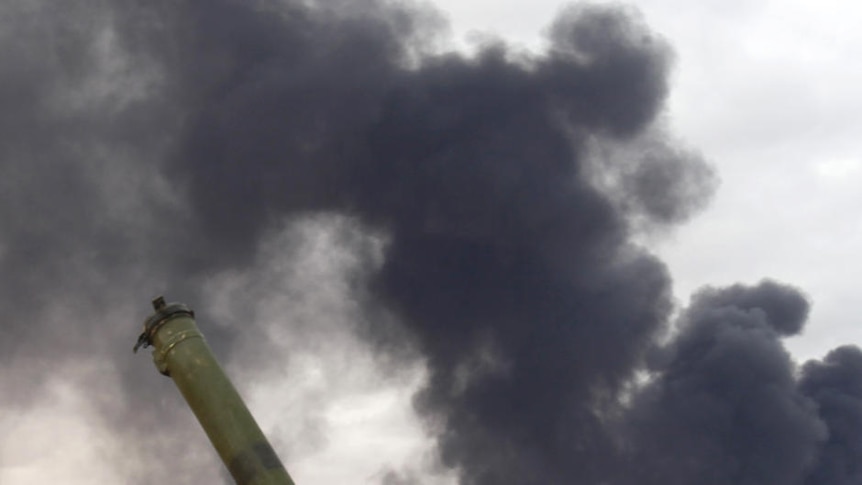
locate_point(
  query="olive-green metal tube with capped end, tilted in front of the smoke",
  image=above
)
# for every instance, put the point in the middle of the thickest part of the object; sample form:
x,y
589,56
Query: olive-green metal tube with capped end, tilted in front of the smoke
x,y
181,353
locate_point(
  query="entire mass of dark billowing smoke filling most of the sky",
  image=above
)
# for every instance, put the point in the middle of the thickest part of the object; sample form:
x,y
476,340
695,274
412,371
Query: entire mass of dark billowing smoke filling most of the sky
x,y
148,146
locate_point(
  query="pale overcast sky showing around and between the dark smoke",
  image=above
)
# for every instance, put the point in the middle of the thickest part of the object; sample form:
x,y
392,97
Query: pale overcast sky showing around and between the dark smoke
x,y
767,92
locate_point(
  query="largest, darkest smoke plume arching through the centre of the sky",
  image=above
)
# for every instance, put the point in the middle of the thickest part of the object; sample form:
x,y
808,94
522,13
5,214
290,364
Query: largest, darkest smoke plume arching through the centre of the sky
x,y
512,271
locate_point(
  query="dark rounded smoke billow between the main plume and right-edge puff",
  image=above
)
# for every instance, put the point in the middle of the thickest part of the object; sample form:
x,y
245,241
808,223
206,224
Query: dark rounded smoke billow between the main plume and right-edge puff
x,y
727,395
